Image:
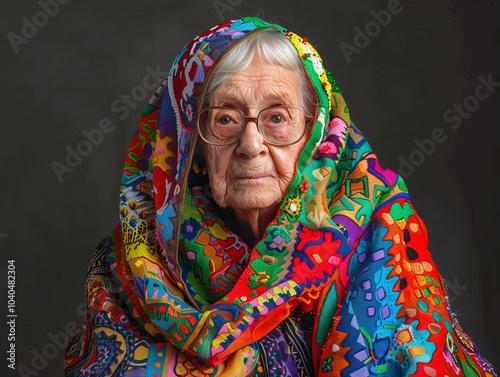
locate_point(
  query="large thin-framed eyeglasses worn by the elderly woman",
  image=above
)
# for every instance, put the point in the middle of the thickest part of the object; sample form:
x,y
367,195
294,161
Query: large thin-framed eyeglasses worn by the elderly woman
x,y
278,125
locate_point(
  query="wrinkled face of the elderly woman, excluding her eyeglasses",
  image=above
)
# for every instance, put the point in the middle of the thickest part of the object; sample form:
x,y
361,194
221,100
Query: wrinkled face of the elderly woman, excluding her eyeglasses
x,y
252,174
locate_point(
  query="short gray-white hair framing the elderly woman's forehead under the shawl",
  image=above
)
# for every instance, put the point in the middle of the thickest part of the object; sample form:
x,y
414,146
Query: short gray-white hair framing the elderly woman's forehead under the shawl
x,y
273,48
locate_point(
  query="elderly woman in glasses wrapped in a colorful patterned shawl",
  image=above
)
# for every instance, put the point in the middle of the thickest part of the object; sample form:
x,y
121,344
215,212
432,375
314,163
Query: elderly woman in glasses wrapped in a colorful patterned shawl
x,y
259,235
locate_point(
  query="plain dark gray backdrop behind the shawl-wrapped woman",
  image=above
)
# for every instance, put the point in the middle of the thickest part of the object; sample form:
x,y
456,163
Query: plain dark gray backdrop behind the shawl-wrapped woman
x,y
398,87
